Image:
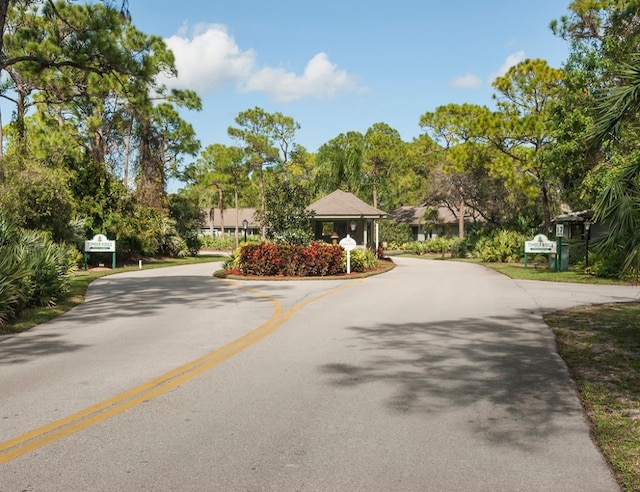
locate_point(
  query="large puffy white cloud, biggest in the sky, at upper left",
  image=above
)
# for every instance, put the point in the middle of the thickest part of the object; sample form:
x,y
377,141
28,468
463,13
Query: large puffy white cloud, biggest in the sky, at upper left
x,y
209,58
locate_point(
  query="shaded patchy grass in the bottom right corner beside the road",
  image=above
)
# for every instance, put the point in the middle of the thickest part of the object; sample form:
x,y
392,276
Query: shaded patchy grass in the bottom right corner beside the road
x,y
601,347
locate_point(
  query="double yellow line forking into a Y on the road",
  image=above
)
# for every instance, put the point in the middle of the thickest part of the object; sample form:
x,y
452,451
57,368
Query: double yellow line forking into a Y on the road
x,y
78,421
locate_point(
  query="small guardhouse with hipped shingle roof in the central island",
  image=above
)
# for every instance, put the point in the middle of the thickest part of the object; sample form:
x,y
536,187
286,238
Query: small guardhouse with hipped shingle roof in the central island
x,y
341,213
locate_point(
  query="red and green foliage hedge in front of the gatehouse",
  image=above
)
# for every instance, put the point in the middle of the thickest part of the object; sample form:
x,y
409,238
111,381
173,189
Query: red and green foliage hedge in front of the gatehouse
x,y
313,260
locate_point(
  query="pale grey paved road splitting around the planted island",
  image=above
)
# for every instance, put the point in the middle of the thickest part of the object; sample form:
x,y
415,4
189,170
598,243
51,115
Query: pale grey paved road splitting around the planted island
x,y
437,376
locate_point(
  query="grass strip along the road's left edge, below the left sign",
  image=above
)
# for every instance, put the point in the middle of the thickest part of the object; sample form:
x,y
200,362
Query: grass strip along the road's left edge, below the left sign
x,y
79,283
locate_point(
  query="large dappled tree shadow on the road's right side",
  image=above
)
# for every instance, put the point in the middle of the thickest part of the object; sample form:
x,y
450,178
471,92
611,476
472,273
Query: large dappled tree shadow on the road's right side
x,y
505,368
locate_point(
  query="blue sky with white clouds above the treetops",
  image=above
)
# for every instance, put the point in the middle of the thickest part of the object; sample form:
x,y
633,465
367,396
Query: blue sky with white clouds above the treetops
x,y
336,66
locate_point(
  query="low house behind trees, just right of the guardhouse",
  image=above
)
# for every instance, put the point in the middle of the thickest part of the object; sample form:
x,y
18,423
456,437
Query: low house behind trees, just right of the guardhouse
x,y
429,222
